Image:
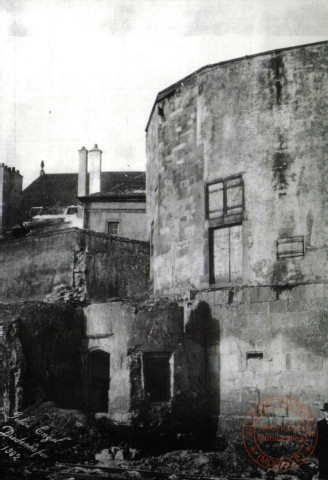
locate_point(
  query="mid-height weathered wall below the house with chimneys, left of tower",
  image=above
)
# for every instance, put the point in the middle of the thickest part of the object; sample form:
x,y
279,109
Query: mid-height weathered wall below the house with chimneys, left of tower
x,y
96,266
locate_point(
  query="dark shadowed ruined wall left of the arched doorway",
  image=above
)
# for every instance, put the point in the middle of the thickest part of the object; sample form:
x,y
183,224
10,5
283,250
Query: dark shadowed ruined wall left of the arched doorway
x,y
42,355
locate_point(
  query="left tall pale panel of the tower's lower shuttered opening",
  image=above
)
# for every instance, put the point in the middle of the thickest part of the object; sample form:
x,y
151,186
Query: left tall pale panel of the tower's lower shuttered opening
x,y
221,255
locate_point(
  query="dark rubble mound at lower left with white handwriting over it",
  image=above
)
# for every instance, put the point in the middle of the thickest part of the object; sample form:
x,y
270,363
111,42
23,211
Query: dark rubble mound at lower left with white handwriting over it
x,y
45,434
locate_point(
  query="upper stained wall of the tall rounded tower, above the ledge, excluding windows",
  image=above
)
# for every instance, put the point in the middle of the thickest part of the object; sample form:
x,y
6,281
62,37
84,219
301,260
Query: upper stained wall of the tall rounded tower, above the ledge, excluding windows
x,y
262,118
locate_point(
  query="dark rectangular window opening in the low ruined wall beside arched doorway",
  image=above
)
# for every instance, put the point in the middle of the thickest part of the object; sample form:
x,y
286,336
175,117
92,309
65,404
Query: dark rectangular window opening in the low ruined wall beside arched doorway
x,y
157,376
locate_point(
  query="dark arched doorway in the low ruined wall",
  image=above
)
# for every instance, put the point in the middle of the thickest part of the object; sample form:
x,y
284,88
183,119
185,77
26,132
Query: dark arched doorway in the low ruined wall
x,y
98,380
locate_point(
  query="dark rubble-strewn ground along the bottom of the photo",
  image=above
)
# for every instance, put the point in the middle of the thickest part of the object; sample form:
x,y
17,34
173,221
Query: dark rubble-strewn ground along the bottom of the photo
x,y
70,436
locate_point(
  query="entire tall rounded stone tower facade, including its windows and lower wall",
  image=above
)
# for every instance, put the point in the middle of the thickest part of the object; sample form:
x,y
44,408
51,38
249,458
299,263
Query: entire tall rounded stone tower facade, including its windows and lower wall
x,y
236,169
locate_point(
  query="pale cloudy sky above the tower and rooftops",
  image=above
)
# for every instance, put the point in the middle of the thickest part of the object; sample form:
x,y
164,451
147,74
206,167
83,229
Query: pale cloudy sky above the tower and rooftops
x,y
79,72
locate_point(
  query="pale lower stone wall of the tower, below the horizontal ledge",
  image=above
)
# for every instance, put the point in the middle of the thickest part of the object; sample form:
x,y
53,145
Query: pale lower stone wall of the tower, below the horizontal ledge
x,y
288,327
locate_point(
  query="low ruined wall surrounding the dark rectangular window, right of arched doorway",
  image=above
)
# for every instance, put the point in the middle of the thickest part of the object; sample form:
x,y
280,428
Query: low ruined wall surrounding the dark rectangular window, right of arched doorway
x,y
126,331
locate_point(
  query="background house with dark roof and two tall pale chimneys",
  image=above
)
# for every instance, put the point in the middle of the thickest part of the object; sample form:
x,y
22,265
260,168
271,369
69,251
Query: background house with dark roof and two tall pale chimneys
x,y
106,202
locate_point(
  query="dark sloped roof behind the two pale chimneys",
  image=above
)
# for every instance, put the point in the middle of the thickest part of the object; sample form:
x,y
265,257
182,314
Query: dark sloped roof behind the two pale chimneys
x,y
56,191
